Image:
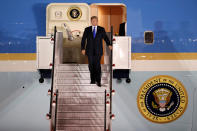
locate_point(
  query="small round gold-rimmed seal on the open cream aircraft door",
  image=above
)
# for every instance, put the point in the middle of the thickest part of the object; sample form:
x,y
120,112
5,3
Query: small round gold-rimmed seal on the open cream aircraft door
x,y
74,13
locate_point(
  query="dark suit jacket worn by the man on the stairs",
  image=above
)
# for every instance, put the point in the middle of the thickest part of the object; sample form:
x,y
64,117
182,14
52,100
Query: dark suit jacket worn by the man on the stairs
x,y
94,46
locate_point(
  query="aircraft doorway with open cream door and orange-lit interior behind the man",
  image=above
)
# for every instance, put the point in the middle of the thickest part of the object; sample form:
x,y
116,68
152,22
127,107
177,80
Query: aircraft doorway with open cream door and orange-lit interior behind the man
x,y
73,18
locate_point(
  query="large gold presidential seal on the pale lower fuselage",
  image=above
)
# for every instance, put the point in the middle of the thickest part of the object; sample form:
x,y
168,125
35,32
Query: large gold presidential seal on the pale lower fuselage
x,y
162,99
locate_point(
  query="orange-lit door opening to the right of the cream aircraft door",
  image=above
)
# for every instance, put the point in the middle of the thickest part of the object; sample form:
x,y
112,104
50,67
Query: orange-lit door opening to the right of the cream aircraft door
x,y
109,15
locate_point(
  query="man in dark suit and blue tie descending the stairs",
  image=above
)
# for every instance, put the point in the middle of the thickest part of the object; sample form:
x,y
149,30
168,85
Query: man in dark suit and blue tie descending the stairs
x,y
94,48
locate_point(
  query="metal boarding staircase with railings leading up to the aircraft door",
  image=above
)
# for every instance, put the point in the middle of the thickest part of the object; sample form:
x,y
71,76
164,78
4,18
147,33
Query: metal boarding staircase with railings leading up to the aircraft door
x,y
77,105
